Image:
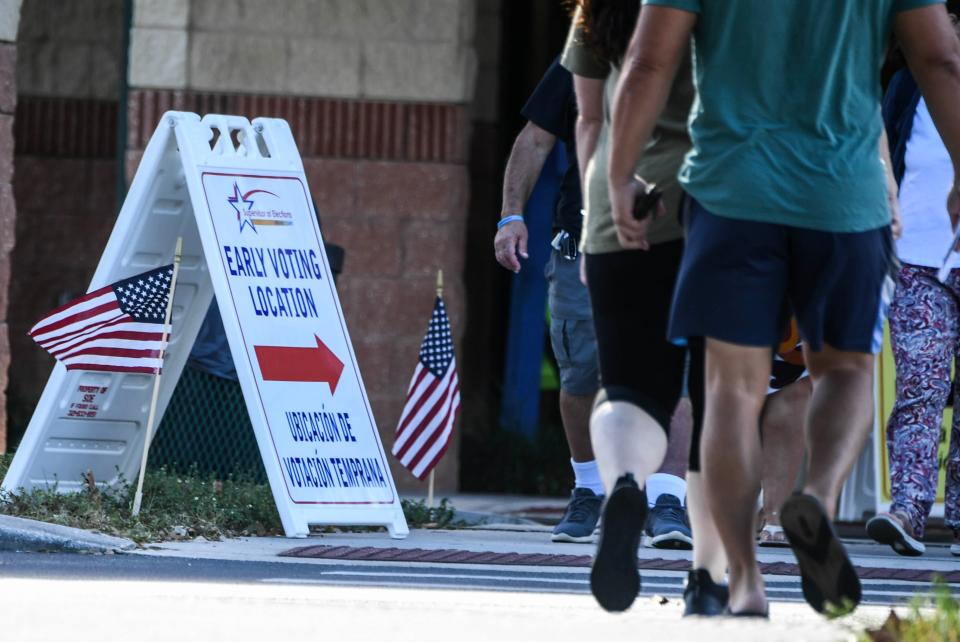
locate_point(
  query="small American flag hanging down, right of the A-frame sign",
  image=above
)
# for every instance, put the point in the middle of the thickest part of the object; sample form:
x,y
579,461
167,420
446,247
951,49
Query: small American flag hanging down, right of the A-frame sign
x,y
433,400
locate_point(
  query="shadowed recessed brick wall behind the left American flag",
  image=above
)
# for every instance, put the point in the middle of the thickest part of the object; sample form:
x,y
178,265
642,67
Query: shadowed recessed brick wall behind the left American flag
x,y
64,132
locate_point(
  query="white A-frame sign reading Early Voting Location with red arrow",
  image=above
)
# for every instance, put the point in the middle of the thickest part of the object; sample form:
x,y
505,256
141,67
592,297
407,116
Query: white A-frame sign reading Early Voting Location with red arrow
x,y
236,192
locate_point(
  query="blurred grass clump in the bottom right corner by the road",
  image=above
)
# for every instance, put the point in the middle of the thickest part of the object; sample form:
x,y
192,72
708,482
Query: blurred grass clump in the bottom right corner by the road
x,y
931,619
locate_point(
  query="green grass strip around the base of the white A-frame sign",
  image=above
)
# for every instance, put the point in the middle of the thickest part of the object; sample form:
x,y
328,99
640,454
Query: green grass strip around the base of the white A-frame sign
x,y
178,507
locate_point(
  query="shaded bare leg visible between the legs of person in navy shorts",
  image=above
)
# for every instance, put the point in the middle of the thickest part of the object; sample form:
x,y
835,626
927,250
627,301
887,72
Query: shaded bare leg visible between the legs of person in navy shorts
x,y
782,435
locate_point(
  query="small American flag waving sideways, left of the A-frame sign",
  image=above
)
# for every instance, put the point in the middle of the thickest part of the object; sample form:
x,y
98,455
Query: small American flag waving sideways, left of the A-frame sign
x,y
118,328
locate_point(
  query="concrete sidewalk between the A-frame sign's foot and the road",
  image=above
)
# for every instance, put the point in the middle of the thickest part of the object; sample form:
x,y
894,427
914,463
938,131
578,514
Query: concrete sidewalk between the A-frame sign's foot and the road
x,y
519,526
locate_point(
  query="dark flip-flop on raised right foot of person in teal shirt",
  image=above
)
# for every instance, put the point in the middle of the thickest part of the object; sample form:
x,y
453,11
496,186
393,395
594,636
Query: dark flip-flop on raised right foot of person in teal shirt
x,y
828,578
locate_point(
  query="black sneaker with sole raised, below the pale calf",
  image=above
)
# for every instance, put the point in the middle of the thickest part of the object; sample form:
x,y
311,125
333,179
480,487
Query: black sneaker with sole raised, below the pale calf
x,y
614,579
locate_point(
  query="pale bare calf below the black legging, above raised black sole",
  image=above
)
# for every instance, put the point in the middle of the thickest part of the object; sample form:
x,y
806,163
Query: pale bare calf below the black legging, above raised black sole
x,y
626,440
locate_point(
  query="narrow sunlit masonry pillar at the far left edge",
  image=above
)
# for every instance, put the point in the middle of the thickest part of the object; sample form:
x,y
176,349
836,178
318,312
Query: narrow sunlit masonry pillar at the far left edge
x,y
9,19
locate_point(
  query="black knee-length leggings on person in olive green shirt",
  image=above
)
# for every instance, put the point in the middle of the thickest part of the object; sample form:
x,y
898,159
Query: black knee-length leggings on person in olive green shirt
x,y
631,292
